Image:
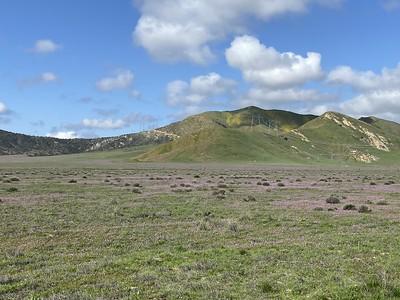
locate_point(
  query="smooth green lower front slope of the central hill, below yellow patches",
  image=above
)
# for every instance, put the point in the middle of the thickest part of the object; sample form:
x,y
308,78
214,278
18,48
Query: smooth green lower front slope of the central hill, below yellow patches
x,y
225,145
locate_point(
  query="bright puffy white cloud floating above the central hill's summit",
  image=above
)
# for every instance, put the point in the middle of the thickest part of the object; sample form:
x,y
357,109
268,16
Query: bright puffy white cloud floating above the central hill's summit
x,y
268,68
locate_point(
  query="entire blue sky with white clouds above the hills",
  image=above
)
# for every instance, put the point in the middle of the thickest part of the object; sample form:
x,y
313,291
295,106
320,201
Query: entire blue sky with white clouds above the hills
x,y
94,68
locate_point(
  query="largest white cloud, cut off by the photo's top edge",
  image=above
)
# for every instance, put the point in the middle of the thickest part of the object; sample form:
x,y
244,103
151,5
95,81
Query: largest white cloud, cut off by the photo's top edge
x,y
182,30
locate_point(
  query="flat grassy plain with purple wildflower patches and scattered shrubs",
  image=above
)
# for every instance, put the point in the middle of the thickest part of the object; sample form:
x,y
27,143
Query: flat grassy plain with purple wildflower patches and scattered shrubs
x,y
97,227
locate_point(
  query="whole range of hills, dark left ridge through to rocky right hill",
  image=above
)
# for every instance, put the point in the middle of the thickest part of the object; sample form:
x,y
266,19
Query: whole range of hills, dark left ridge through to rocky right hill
x,y
249,135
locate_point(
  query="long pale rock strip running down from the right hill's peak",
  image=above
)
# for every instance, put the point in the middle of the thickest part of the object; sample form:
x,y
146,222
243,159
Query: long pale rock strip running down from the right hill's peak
x,y
375,140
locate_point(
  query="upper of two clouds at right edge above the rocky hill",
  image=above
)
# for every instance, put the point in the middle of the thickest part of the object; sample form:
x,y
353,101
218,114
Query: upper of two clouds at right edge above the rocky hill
x,y
365,80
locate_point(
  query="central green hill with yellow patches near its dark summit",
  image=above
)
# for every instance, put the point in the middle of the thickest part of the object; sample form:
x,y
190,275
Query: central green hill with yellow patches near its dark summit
x,y
249,134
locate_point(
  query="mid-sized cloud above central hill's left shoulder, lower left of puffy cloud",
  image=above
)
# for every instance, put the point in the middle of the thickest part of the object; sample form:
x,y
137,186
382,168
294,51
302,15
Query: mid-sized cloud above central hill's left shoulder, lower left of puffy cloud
x,y
200,90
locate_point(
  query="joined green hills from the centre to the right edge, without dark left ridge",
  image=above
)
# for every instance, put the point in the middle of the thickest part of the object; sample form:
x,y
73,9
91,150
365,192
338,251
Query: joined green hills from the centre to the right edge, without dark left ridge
x,y
253,134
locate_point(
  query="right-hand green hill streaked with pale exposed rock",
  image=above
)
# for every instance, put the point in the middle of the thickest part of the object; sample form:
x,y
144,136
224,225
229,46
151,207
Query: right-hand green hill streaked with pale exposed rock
x,y
336,136
